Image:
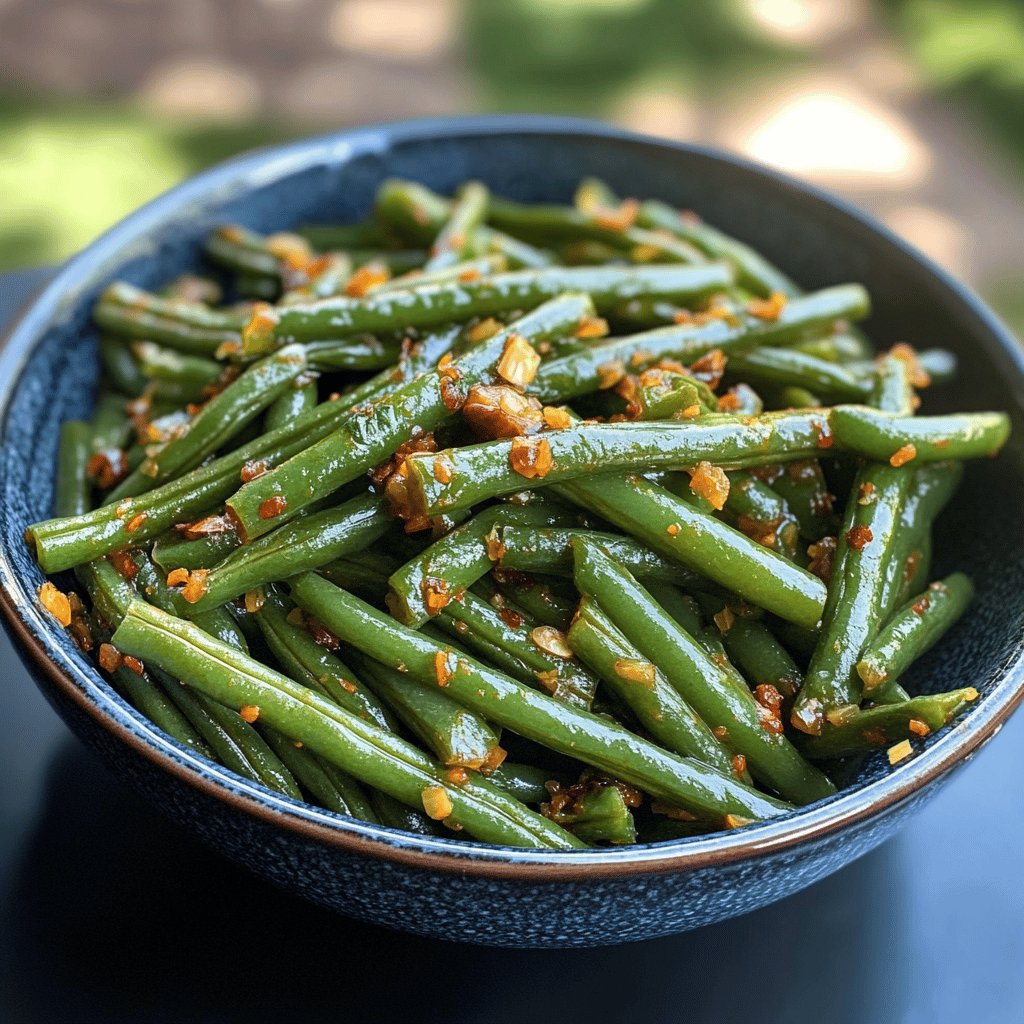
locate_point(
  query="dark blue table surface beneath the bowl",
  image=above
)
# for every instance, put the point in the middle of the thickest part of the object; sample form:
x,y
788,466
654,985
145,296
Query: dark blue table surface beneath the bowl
x,y
110,913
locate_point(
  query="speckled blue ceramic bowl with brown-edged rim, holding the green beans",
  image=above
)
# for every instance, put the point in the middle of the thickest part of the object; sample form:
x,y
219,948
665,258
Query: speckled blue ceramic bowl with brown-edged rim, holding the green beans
x,y
453,888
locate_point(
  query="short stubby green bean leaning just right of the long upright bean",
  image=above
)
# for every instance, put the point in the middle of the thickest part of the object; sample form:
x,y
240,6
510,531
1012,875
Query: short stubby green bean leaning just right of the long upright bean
x,y
913,630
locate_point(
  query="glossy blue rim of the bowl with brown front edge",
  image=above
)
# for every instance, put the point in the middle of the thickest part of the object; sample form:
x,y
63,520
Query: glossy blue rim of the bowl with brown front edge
x,y
91,694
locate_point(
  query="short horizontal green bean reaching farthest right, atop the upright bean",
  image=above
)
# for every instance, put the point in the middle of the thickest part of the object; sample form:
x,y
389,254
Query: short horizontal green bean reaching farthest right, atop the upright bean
x,y
883,437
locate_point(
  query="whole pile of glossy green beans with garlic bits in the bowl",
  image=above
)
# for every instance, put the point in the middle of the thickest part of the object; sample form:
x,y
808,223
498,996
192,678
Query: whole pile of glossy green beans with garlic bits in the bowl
x,y
336,526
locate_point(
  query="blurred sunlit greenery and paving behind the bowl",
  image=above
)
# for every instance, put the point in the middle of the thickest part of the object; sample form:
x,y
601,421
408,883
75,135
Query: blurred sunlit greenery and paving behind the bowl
x,y
914,109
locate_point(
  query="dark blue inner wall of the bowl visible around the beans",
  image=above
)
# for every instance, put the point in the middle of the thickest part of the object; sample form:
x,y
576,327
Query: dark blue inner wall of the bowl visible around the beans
x,y
51,369
